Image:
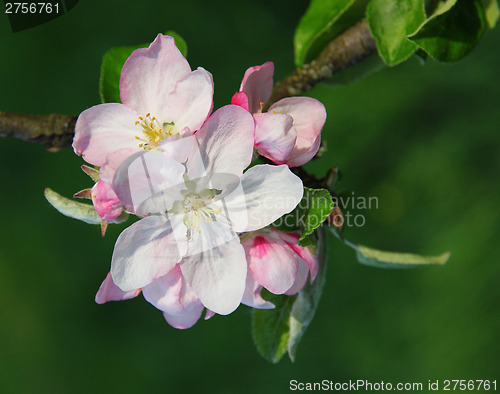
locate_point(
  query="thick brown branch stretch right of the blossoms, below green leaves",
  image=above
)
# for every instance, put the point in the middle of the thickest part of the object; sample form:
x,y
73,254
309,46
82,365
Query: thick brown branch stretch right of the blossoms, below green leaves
x,y
347,49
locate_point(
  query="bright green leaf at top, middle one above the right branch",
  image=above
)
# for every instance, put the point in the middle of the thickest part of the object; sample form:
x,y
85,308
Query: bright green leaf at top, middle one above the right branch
x,y
390,22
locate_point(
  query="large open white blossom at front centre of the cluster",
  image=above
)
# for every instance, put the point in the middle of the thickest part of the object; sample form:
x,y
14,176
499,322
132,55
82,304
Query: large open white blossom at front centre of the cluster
x,y
197,210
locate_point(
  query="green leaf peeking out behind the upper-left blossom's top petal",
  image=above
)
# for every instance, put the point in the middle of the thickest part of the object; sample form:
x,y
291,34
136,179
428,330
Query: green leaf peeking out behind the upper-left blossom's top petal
x,y
112,64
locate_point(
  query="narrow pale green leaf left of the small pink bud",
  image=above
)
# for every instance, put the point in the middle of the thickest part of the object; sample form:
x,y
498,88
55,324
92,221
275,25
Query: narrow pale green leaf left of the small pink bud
x,y
77,210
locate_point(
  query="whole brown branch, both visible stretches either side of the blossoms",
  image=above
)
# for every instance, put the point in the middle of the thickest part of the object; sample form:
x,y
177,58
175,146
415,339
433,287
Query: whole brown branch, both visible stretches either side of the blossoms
x,y
347,49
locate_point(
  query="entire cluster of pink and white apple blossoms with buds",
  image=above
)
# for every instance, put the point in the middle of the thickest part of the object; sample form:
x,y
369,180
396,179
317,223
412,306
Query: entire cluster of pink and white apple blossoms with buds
x,y
204,239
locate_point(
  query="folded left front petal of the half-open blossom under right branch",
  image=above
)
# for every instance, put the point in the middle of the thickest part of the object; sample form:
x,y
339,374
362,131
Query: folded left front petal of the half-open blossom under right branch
x,y
274,136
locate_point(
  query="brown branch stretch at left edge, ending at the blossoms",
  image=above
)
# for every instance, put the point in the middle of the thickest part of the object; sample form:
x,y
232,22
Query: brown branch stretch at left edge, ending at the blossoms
x,y
53,131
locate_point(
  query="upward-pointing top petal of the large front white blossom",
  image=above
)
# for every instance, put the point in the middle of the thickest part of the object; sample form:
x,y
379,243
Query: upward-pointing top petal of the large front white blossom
x,y
225,143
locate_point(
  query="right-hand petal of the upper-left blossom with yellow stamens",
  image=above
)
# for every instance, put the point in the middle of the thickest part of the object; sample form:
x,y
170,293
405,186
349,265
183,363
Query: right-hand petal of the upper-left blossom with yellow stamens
x,y
191,101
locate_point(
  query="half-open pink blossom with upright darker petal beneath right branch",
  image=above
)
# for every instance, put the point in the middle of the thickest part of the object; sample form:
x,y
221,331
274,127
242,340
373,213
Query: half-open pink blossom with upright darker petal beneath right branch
x,y
289,133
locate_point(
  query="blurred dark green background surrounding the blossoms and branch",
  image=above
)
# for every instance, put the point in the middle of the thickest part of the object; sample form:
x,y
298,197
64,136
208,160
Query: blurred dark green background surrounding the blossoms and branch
x,y
423,140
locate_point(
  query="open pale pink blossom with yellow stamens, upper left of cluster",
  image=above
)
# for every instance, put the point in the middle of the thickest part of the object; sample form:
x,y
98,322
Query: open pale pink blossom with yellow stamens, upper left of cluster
x,y
161,98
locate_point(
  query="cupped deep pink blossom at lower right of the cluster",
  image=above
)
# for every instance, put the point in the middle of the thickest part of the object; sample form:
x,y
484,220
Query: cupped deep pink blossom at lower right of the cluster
x,y
277,263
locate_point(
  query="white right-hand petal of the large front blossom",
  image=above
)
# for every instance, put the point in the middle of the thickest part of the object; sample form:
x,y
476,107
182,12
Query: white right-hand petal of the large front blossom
x,y
269,193
